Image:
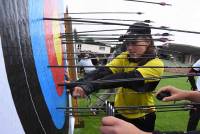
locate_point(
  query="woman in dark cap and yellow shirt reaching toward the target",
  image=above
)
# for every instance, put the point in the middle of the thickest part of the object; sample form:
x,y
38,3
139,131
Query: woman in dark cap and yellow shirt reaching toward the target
x,y
140,53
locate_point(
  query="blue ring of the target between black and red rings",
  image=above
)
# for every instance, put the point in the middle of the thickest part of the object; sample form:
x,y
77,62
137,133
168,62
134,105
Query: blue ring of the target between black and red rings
x,y
41,59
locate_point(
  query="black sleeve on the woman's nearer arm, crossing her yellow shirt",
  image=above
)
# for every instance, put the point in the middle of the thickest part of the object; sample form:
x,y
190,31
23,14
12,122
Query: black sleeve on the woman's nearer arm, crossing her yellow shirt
x,y
137,85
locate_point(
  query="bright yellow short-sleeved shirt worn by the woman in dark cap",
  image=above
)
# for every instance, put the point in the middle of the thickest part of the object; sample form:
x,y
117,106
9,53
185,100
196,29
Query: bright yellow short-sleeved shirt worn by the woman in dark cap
x,y
129,96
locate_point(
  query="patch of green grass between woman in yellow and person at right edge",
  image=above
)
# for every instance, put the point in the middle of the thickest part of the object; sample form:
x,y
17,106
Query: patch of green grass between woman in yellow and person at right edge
x,y
172,120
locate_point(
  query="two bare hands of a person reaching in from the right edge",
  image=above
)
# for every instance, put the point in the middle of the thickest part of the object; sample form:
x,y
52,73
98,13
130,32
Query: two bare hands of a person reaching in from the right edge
x,y
112,125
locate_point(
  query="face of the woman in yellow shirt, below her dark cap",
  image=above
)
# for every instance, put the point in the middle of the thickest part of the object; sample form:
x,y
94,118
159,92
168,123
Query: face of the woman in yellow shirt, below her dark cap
x,y
137,48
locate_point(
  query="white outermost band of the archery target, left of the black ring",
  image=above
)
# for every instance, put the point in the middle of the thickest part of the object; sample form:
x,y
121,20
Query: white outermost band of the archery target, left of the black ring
x,y
9,120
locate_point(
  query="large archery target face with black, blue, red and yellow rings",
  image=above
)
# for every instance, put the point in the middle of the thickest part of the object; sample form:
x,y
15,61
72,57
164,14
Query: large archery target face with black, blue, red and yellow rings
x,y
29,45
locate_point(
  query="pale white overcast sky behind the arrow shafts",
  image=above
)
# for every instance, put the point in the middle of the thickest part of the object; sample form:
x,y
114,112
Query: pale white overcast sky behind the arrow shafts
x,y
183,14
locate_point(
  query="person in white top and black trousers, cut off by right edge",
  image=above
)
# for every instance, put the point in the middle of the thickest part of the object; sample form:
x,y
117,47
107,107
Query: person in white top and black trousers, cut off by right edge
x,y
195,86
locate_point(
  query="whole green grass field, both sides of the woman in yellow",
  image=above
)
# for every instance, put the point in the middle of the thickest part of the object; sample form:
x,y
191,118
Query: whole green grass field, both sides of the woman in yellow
x,y
165,120
